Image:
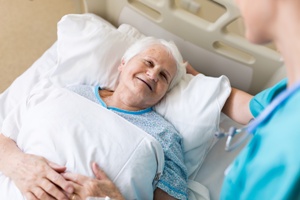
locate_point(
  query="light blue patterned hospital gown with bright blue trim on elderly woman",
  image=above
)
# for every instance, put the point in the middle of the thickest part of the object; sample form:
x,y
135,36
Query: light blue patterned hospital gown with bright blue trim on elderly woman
x,y
174,177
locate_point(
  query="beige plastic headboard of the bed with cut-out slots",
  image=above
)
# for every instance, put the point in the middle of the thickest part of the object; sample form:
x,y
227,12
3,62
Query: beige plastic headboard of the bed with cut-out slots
x,y
209,34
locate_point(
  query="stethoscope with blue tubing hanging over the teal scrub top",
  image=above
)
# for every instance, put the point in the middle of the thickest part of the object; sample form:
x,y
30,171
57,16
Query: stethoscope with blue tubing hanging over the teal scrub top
x,y
254,123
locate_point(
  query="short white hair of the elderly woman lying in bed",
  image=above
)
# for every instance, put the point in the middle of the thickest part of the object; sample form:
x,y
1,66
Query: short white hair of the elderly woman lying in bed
x,y
170,46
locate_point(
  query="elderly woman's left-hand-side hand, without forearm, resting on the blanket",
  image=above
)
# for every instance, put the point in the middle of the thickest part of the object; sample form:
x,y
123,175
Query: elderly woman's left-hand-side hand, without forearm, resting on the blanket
x,y
38,178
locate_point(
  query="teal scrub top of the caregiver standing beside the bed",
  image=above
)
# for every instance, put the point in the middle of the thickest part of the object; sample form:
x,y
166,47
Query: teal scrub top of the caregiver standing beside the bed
x,y
269,166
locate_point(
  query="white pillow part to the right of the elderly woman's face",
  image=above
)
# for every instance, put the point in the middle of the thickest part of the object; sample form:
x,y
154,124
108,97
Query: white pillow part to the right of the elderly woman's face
x,y
194,107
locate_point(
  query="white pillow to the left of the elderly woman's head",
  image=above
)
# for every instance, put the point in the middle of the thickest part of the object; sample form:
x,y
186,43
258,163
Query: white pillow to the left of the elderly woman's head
x,y
89,51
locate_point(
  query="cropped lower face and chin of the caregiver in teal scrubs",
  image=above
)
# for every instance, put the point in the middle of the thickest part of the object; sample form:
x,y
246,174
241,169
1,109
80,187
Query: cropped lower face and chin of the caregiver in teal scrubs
x,y
258,16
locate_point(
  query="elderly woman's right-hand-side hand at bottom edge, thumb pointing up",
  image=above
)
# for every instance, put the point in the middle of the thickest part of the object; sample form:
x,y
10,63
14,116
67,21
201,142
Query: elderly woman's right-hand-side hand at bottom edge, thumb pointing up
x,y
101,186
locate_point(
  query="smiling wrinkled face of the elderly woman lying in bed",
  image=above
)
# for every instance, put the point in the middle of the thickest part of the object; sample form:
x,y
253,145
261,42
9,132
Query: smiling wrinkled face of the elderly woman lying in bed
x,y
148,75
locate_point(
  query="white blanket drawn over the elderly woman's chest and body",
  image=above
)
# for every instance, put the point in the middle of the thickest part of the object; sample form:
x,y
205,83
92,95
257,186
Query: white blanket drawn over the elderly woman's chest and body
x,y
73,131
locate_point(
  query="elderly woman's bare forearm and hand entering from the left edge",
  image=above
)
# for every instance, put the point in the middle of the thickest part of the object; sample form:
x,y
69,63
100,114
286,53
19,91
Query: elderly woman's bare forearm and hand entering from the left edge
x,y
36,177
